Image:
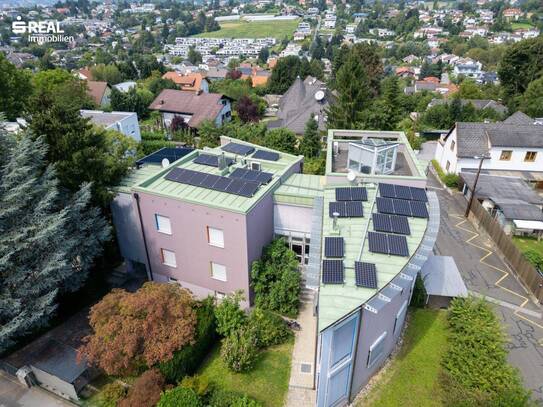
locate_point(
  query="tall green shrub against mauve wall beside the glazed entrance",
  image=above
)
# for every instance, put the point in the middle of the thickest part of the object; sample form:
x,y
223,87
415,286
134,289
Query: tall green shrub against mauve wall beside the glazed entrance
x,y
275,279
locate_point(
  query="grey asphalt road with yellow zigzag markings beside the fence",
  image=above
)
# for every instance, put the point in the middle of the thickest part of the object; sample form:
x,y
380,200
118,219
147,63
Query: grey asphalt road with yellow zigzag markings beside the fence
x,y
485,274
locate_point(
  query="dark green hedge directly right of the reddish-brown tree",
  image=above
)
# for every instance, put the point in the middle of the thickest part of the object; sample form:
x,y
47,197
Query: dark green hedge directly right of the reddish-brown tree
x,y
186,361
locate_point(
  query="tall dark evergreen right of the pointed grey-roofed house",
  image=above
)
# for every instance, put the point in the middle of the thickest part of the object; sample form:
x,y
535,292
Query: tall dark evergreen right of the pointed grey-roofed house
x,y
353,88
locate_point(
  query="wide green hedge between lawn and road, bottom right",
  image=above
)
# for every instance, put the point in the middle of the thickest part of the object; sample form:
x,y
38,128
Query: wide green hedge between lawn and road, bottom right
x,y
476,359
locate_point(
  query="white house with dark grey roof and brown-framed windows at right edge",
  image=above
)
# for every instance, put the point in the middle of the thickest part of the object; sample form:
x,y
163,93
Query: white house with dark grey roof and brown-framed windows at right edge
x,y
514,145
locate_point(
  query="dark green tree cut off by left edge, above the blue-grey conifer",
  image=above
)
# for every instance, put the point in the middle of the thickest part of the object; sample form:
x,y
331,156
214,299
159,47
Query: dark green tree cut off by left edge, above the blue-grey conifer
x,y
15,89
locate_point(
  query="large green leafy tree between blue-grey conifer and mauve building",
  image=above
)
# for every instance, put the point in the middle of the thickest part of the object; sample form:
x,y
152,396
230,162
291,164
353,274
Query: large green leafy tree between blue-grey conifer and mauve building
x,y
81,152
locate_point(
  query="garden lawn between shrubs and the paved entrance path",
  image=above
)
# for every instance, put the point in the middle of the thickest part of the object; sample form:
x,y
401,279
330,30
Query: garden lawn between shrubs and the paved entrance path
x,y
267,382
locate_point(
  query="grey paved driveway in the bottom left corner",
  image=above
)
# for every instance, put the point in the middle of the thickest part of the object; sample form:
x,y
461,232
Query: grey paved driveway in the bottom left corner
x,y
13,394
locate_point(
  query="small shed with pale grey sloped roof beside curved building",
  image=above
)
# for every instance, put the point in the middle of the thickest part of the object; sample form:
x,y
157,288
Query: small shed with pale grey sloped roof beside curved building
x,y
442,281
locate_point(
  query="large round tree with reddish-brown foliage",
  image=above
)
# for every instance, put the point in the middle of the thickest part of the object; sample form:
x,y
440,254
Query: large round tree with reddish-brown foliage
x,y
133,330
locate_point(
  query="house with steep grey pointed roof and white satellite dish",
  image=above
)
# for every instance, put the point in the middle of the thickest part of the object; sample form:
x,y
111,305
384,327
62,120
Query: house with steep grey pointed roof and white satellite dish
x,y
302,100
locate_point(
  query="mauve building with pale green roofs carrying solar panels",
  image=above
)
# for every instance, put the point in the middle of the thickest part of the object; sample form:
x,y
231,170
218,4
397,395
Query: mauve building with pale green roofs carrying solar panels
x,y
361,236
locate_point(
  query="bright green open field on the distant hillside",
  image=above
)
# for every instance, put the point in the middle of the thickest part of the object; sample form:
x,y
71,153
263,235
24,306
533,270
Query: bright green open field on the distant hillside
x,y
254,29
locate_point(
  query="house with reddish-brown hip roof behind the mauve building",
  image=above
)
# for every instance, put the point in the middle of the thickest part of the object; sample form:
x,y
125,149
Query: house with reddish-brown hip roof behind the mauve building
x,y
193,107
